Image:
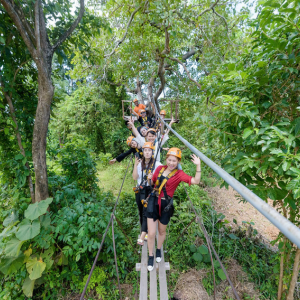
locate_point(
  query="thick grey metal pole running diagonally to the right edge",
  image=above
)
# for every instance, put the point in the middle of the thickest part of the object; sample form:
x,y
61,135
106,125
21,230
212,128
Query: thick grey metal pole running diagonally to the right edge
x,y
291,231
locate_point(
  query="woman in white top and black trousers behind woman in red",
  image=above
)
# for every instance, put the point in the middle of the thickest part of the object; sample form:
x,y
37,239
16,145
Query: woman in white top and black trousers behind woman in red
x,y
142,168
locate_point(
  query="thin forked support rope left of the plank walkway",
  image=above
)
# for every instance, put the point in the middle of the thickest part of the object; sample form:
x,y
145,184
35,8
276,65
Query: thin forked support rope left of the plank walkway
x,y
103,238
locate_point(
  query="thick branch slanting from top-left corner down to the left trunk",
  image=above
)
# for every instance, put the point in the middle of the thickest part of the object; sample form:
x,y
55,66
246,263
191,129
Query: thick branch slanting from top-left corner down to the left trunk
x,y
21,26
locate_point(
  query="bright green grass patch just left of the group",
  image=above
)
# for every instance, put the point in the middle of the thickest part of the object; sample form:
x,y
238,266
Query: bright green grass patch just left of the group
x,y
111,177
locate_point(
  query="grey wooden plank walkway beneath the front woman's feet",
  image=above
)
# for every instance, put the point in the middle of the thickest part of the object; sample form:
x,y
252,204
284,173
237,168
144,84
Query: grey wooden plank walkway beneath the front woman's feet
x,y
160,270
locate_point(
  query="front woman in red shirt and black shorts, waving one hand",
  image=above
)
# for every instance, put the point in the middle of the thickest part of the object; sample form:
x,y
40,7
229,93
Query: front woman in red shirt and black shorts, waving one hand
x,y
160,204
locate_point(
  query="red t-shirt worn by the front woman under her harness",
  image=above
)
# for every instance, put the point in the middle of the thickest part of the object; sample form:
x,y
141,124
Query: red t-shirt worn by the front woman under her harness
x,y
172,183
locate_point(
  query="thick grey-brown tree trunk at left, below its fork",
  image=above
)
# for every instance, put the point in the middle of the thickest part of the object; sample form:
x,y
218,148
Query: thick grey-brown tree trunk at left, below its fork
x,y
45,96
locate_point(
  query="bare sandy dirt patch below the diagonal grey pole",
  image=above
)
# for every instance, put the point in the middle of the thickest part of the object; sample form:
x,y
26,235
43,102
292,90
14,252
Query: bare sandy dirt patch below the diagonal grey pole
x,y
226,202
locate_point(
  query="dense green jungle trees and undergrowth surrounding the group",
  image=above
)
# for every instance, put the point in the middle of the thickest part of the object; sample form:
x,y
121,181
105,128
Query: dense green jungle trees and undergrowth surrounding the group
x,y
64,69
